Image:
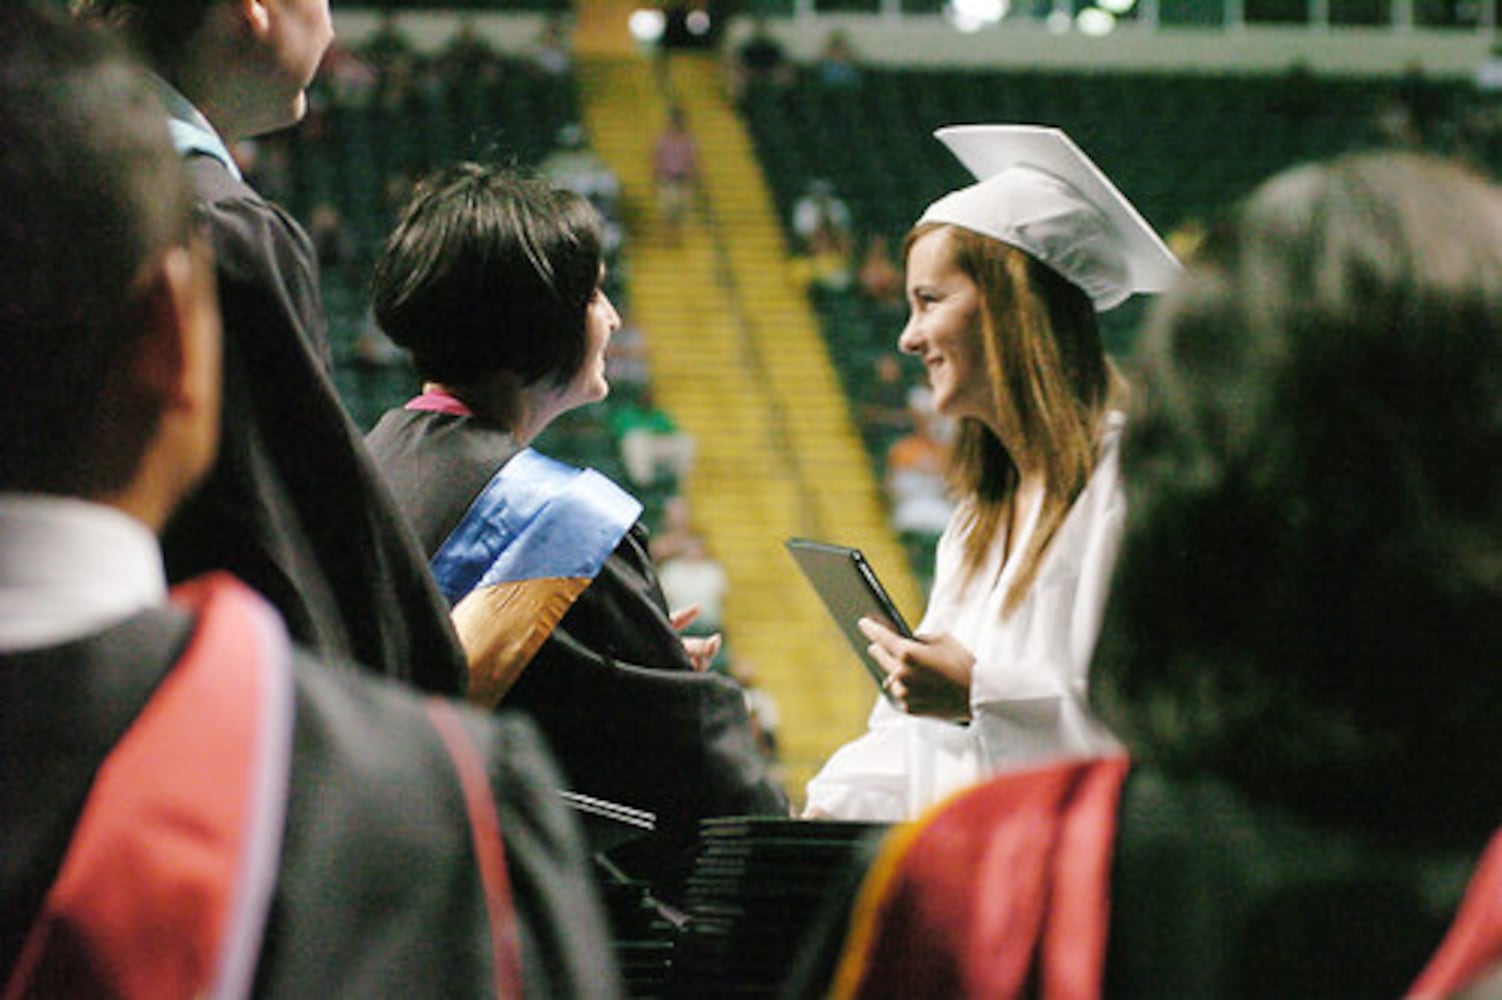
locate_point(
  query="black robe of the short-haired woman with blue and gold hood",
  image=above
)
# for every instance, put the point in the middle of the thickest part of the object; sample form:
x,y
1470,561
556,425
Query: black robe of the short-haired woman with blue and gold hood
x,y
612,687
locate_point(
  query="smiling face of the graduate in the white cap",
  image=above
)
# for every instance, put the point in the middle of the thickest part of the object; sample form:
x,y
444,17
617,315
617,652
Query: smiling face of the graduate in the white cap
x,y
946,331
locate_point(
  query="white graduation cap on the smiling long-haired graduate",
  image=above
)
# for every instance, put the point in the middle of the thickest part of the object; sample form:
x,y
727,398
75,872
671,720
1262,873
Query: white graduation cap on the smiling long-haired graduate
x,y
1037,191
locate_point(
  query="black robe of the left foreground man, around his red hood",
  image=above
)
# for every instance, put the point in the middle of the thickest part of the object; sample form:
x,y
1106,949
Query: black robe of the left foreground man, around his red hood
x,y
378,891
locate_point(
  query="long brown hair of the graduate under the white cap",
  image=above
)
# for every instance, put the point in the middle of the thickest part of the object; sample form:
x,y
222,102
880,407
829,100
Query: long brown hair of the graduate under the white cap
x,y
1052,384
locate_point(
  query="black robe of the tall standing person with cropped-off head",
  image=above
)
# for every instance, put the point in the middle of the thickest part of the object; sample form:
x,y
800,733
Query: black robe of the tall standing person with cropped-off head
x,y
294,507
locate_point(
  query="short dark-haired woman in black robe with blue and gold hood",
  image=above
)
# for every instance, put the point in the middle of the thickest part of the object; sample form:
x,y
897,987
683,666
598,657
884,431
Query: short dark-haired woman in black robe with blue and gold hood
x,y
493,283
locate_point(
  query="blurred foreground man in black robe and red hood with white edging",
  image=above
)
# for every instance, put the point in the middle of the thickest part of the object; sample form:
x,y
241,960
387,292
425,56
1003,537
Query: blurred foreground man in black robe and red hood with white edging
x,y
192,806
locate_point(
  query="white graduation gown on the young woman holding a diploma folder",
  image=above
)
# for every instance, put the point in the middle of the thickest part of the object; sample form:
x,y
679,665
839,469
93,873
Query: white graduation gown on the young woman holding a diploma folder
x,y
1028,693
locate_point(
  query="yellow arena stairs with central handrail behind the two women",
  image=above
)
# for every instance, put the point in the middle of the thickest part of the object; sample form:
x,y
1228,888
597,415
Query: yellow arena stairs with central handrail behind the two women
x,y
738,360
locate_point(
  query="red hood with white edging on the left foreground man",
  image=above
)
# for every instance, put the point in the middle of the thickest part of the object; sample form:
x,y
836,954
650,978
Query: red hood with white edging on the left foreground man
x,y
169,876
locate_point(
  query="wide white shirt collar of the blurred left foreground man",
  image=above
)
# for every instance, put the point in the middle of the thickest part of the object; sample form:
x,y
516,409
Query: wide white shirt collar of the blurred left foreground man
x,y
70,568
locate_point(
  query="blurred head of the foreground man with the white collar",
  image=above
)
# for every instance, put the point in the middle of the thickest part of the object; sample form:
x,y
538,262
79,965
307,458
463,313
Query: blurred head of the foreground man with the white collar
x,y
109,327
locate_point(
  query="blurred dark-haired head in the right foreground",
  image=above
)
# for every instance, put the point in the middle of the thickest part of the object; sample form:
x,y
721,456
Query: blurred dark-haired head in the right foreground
x,y
1309,600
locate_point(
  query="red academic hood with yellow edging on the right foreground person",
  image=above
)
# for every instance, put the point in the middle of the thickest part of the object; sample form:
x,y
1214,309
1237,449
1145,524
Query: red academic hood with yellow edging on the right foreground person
x,y
1006,891
